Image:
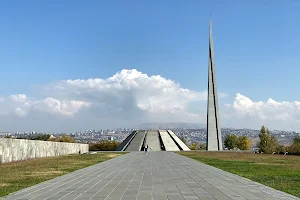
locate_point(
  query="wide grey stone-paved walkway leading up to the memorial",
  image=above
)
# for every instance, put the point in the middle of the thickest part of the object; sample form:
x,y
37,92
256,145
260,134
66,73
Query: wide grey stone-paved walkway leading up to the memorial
x,y
156,176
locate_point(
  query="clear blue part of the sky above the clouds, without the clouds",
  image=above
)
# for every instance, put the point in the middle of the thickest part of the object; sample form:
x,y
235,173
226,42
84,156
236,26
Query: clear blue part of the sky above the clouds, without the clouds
x,y
256,43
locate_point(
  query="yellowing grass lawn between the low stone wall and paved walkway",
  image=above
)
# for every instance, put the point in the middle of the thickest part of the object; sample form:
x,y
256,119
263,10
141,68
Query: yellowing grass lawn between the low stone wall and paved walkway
x,y
18,175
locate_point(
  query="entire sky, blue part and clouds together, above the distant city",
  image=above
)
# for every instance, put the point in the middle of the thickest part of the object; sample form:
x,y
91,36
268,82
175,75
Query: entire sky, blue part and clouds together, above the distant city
x,y
68,66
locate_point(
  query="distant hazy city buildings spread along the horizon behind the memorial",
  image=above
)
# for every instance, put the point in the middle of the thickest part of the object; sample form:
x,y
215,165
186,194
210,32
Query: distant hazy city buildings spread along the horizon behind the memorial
x,y
191,135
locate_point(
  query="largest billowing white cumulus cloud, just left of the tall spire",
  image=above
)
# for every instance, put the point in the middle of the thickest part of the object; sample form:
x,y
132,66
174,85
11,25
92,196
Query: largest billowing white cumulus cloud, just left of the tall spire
x,y
130,92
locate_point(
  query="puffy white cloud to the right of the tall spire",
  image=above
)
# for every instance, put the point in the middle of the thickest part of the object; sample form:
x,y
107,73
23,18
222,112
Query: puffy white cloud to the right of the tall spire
x,y
278,115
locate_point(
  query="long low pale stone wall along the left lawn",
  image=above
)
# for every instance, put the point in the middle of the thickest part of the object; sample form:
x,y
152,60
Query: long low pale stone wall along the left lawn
x,y
21,149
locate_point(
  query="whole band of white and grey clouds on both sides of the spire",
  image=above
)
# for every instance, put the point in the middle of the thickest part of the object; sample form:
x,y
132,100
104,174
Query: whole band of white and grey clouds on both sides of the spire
x,y
127,99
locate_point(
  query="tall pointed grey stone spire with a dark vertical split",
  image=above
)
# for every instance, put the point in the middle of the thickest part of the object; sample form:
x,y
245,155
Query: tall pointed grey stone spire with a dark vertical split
x,y
214,137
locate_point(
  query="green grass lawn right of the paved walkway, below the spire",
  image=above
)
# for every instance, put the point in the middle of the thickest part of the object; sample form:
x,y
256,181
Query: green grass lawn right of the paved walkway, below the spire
x,y
276,171
